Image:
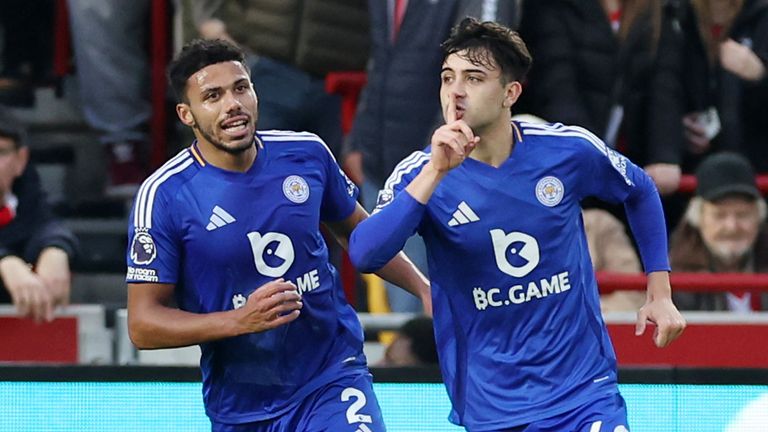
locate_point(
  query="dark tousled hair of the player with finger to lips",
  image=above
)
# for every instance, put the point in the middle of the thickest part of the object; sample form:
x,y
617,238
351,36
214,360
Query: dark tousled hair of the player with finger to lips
x,y
490,44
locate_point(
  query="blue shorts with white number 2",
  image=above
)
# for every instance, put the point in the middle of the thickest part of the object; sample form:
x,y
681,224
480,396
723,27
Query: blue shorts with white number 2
x,y
345,405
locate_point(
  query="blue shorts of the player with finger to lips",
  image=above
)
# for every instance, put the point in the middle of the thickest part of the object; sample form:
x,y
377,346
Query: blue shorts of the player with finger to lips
x,y
608,414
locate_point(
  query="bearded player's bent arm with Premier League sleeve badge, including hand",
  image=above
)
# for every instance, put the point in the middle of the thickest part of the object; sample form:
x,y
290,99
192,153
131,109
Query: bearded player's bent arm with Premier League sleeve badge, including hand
x,y
155,258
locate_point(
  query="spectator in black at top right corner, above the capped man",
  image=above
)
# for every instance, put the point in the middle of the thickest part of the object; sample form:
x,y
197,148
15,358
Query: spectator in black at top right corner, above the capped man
x,y
726,85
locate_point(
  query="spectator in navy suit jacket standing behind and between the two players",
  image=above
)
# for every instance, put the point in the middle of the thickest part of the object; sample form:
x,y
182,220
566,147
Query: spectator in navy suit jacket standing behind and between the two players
x,y
399,107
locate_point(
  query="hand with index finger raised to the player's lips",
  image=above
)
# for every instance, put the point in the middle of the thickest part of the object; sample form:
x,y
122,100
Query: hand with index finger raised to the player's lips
x,y
452,142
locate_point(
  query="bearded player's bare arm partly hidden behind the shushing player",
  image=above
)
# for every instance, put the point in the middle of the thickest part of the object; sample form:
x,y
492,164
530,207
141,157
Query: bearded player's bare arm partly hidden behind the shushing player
x,y
399,270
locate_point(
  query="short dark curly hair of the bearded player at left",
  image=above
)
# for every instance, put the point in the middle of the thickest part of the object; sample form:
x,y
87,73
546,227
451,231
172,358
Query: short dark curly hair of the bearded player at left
x,y
196,55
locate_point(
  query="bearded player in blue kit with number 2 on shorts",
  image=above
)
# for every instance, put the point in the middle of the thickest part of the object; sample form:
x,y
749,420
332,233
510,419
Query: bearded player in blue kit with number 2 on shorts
x,y
229,231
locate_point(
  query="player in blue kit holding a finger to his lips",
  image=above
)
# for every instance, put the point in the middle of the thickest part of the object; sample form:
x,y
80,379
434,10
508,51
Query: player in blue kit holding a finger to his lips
x,y
521,341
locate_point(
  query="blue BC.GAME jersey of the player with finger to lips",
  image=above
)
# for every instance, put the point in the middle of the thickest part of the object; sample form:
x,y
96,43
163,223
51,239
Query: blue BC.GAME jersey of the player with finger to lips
x,y
516,306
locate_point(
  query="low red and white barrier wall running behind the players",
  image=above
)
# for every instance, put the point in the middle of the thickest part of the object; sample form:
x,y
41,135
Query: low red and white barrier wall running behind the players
x,y
79,336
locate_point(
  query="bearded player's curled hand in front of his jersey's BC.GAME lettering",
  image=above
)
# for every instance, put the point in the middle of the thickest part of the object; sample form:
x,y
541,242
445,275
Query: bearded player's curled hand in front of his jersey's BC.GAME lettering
x,y
271,305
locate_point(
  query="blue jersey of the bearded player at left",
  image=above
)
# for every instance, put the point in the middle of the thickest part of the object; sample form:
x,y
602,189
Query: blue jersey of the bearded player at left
x,y
219,235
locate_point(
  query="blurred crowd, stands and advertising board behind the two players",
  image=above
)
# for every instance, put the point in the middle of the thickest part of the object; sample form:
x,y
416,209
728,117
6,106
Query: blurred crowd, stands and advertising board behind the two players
x,y
679,86
